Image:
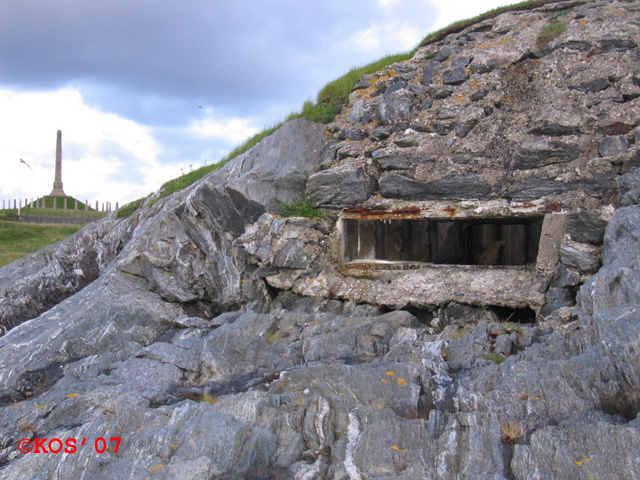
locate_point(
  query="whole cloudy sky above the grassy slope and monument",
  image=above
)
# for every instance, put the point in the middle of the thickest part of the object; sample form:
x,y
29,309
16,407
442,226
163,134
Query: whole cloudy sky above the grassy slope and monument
x,y
146,90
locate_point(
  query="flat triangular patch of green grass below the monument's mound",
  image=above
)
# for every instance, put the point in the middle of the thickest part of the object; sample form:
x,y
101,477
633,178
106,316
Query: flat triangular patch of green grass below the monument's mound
x,y
20,239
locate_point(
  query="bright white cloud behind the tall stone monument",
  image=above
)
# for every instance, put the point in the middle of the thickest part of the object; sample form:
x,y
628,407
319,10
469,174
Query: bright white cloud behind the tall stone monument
x,y
99,150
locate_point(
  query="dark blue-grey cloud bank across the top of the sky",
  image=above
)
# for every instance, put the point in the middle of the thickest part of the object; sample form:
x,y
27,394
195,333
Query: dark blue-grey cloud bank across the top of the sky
x,y
233,55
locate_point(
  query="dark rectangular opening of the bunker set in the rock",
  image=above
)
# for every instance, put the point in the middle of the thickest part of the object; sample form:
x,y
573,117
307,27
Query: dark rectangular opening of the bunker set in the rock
x,y
487,241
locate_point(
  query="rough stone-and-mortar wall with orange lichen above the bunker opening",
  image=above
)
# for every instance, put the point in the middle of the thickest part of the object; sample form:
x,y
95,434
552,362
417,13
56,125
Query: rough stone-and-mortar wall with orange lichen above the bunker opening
x,y
502,110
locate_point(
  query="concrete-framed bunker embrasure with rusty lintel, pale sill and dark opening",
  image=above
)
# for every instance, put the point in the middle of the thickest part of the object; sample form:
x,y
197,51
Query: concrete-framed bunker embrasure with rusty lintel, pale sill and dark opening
x,y
378,245
